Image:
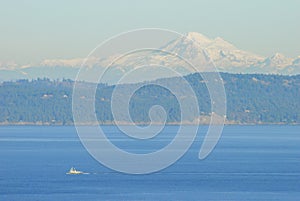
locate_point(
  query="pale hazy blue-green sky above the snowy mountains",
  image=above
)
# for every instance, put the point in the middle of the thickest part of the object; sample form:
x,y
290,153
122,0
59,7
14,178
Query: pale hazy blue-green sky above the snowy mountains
x,y
34,30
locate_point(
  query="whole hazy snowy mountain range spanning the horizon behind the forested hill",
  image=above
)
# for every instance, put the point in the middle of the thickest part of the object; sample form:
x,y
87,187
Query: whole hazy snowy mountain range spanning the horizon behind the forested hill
x,y
226,57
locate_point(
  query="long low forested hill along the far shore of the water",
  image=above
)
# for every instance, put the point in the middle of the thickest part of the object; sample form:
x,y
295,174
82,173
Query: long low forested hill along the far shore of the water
x,y
250,99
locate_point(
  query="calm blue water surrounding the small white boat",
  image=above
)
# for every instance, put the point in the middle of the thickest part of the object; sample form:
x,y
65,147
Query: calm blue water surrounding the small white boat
x,y
249,163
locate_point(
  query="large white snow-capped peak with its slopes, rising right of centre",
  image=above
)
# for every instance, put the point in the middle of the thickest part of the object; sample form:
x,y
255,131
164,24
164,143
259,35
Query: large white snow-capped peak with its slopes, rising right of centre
x,y
225,56
